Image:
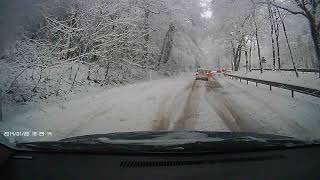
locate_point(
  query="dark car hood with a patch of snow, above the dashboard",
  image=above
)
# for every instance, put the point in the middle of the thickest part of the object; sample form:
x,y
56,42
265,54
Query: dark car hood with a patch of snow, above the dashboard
x,y
168,142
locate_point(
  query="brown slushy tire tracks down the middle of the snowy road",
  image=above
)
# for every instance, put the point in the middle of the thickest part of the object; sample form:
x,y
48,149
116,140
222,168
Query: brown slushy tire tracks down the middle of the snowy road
x,y
218,101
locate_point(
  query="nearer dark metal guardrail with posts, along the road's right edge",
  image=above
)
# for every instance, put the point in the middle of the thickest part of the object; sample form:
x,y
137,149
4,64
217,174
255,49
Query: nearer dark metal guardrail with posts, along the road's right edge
x,y
292,88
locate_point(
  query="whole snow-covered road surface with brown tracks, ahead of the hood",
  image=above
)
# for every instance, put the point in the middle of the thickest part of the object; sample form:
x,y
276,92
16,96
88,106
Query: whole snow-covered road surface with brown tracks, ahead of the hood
x,y
178,103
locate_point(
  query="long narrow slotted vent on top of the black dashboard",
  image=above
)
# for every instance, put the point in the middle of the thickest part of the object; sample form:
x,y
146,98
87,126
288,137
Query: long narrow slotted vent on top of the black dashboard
x,y
137,164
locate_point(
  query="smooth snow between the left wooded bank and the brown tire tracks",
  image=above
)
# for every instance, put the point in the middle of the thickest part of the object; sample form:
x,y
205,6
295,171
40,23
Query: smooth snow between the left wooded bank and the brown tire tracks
x,y
125,108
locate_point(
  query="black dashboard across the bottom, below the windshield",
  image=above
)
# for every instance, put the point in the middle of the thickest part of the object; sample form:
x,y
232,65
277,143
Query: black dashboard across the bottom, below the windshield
x,y
297,163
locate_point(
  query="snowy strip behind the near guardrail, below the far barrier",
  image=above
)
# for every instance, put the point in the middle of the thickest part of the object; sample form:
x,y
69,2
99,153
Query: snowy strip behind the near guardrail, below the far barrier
x,y
310,80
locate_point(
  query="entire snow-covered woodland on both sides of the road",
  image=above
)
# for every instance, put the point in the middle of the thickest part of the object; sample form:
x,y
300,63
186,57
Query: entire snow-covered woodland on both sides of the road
x,y
52,47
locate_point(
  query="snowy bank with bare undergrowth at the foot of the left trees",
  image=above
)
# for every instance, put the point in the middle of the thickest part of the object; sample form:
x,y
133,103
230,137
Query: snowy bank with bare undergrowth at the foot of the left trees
x,y
24,82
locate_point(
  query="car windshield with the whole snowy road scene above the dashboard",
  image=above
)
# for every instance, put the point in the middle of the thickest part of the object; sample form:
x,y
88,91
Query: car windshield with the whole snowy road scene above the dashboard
x,y
71,68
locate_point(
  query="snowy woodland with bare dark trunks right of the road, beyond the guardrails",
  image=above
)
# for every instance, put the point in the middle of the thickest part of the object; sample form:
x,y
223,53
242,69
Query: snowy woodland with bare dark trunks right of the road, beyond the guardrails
x,y
266,33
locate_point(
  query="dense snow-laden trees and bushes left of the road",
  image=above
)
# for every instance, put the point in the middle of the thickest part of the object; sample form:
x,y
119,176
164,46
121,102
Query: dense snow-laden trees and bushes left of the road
x,y
65,44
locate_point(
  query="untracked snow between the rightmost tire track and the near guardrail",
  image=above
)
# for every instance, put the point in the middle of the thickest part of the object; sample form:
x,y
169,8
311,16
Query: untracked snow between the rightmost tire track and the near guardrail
x,y
275,112
